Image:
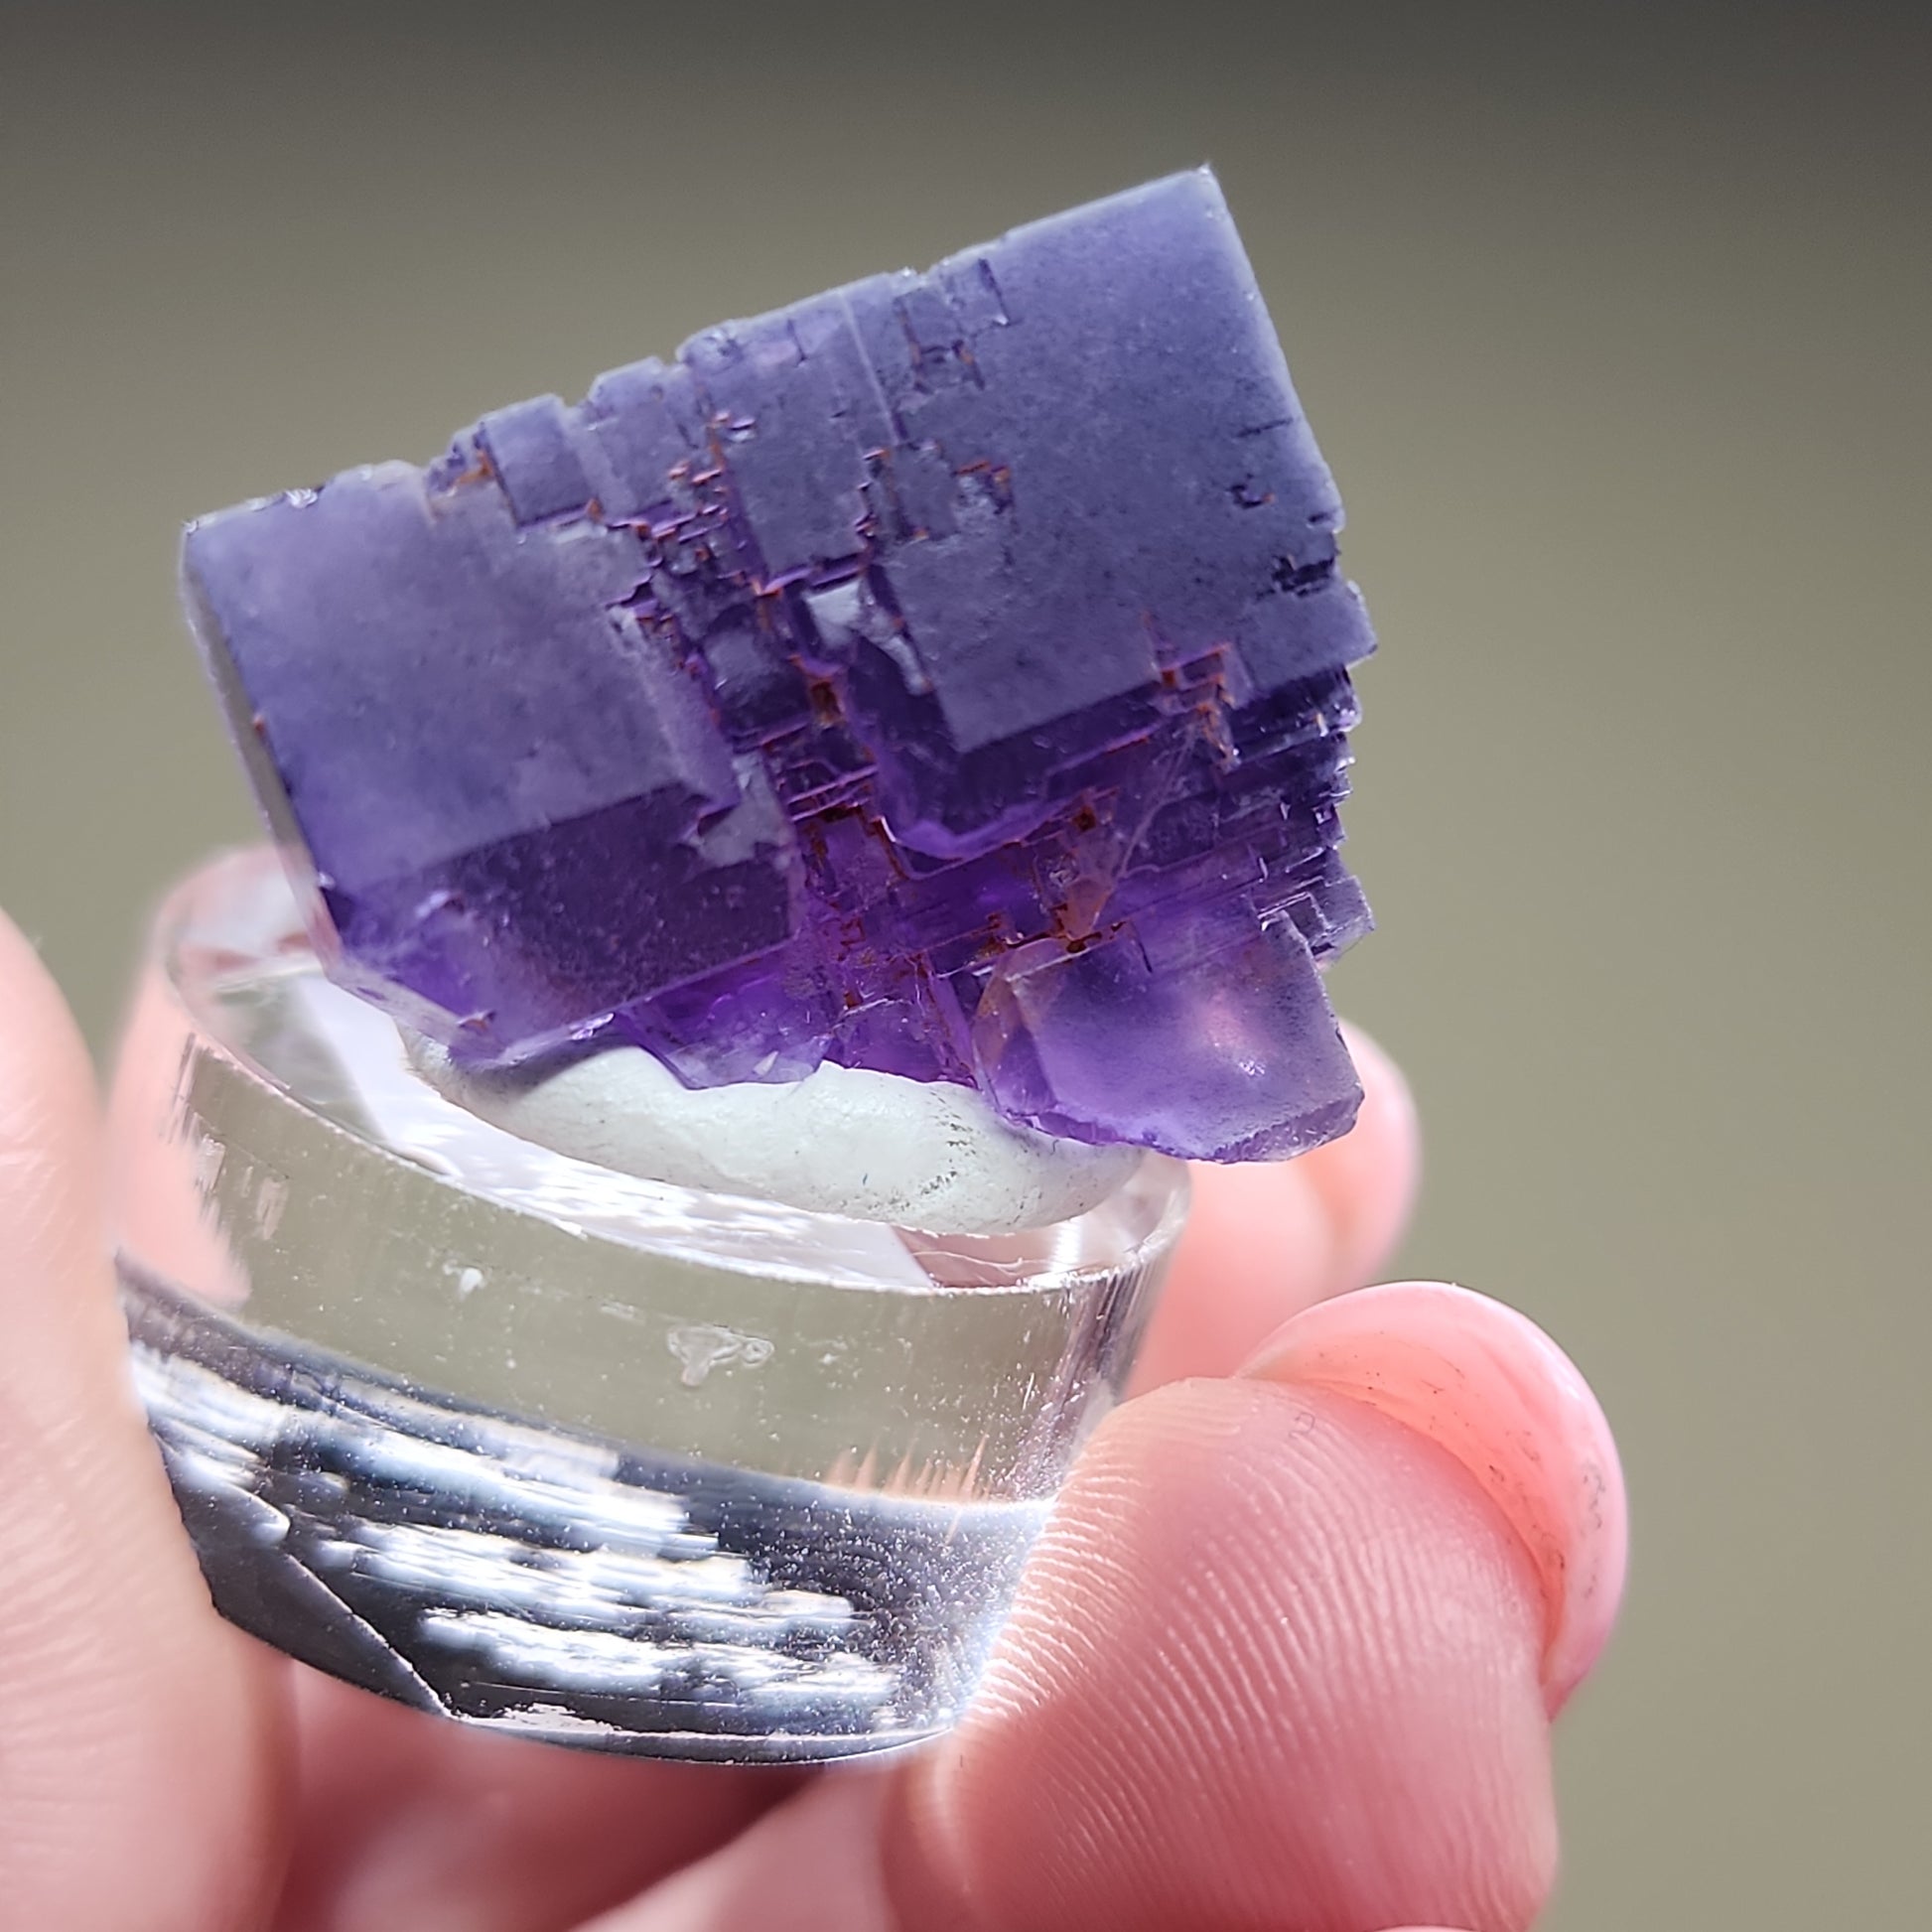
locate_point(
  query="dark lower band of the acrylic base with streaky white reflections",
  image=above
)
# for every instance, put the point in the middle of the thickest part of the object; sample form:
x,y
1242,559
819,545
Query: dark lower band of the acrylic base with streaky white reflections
x,y
557,1587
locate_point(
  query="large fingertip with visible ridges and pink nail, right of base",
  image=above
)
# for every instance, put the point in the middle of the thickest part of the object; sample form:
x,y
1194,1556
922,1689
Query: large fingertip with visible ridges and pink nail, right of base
x,y
1284,1657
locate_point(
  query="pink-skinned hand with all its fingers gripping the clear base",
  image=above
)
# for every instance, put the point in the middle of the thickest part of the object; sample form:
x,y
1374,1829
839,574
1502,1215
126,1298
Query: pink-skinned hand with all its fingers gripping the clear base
x,y
1286,1659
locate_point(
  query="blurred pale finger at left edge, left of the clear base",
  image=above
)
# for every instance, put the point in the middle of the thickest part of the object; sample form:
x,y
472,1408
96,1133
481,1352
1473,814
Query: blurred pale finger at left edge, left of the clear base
x,y
138,1784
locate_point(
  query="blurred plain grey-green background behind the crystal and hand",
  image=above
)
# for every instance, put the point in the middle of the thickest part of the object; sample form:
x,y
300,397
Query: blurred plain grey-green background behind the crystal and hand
x,y
1614,326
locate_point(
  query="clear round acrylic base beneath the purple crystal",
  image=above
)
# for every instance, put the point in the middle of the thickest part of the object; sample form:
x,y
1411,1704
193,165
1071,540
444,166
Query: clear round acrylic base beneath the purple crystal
x,y
565,1452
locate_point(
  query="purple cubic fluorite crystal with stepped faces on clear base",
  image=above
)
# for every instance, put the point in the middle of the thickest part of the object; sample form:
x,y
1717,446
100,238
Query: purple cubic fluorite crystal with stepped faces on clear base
x,y
944,675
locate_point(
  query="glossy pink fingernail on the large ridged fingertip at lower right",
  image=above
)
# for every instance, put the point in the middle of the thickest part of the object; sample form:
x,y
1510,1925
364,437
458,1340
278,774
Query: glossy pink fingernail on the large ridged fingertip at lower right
x,y
1494,1392
